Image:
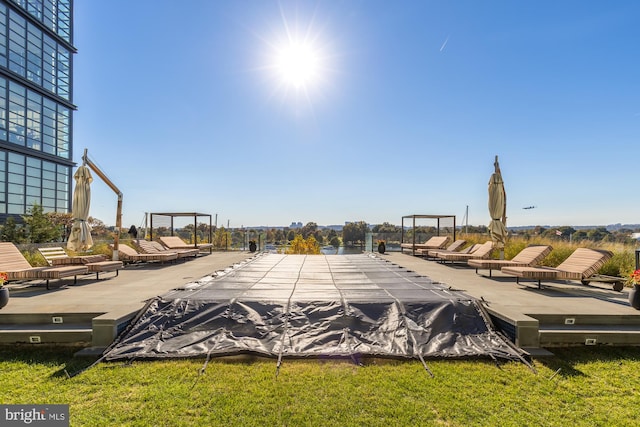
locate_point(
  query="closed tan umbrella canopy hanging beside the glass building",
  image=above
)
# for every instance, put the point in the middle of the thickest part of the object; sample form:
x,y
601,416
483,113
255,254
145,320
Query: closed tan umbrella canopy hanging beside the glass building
x,y
80,238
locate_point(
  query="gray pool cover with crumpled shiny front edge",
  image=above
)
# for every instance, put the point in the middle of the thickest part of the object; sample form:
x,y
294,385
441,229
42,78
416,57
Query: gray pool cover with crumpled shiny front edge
x,y
313,306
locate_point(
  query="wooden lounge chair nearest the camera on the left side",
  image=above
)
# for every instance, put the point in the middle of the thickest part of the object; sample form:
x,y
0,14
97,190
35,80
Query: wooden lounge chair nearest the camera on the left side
x,y
17,267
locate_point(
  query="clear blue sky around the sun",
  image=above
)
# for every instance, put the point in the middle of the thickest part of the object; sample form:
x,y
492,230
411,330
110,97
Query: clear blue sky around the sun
x,y
182,106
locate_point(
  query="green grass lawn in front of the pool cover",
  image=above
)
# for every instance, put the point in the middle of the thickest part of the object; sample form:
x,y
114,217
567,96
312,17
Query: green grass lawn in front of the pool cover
x,y
582,386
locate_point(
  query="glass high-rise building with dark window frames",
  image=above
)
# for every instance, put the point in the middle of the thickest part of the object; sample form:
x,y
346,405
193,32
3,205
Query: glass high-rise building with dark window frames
x,y
36,105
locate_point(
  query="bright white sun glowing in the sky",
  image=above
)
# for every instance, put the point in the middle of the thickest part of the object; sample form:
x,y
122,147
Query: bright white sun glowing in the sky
x,y
298,64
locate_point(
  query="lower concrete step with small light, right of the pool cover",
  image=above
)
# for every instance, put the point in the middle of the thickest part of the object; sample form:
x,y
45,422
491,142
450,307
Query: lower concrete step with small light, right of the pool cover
x,y
560,335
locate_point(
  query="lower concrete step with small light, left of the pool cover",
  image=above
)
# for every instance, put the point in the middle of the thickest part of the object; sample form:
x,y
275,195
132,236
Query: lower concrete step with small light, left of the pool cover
x,y
45,334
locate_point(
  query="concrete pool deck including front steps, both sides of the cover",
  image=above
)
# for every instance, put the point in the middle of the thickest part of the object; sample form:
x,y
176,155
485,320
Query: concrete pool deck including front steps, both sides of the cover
x,y
94,311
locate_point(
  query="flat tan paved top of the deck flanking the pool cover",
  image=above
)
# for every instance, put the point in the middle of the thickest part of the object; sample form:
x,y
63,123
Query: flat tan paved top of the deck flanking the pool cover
x,y
137,283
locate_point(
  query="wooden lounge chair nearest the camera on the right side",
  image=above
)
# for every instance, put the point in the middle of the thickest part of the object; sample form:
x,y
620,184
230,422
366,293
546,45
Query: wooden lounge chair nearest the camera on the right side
x,y
580,265
